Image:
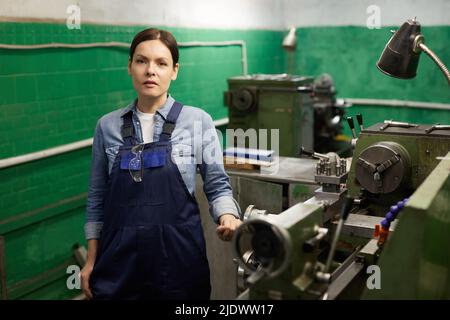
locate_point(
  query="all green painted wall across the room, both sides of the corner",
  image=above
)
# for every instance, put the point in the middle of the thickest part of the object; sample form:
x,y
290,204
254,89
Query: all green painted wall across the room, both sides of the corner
x,y
52,97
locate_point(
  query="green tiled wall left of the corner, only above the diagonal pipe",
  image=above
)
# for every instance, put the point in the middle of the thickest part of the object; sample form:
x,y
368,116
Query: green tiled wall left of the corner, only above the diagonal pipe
x,y
67,90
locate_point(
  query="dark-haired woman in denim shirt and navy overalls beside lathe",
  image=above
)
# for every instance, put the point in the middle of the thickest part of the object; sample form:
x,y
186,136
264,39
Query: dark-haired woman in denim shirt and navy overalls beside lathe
x,y
144,233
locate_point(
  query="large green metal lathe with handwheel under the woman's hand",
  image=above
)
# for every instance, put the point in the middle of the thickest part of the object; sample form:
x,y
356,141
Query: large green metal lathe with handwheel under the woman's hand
x,y
380,230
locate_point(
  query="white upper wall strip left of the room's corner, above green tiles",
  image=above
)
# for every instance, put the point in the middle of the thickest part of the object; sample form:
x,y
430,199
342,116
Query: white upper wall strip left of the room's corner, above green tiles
x,y
255,14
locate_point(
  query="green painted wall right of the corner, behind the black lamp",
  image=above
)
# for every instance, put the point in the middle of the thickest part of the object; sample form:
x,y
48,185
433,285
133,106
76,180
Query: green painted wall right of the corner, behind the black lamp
x,y
349,55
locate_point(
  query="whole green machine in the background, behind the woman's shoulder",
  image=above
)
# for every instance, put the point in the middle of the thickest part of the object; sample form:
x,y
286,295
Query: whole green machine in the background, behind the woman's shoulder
x,y
303,109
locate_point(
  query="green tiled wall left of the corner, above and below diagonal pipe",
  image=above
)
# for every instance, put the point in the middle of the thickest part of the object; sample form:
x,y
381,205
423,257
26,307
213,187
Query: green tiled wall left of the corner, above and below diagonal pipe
x,y
51,97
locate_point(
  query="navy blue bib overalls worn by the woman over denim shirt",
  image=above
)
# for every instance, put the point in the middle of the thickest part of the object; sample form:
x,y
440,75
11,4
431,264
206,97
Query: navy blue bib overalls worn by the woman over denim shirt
x,y
152,244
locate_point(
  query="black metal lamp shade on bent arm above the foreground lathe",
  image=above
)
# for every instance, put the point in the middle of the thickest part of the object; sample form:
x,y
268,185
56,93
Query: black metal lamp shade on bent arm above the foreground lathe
x,y
398,58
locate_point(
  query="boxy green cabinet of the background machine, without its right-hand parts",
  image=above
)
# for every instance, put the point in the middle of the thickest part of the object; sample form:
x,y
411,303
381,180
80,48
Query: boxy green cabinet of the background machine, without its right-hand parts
x,y
280,102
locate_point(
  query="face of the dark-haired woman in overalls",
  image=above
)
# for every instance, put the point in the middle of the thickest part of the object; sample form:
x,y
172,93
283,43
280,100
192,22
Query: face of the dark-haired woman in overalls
x,y
152,69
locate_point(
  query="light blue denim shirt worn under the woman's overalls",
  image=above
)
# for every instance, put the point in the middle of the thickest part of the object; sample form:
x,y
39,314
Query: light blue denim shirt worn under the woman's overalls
x,y
194,144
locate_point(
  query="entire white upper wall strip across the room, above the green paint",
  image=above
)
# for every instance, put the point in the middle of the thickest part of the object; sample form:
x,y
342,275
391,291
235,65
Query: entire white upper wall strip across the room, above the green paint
x,y
236,14
